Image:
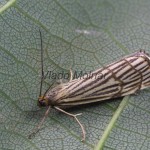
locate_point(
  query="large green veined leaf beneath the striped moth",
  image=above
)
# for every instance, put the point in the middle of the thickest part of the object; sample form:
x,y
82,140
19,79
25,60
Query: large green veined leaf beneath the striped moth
x,y
77,35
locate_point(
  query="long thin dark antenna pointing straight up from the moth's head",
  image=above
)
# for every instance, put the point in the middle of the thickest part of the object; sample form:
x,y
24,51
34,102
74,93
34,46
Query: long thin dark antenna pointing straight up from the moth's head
x,y
42,72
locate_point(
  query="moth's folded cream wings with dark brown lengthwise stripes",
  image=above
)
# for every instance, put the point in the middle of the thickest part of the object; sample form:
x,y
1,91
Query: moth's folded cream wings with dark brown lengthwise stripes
x,y
120,78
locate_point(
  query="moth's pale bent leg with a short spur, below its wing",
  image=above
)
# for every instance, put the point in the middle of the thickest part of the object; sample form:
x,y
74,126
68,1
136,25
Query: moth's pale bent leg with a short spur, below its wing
x,y
75,117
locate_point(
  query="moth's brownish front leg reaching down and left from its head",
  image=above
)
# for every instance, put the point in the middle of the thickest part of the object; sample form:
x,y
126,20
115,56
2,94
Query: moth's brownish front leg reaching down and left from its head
x,y
40,124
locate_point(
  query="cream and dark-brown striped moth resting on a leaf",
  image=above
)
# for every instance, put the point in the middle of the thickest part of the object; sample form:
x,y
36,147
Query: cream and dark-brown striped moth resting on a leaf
x,y
121,78
